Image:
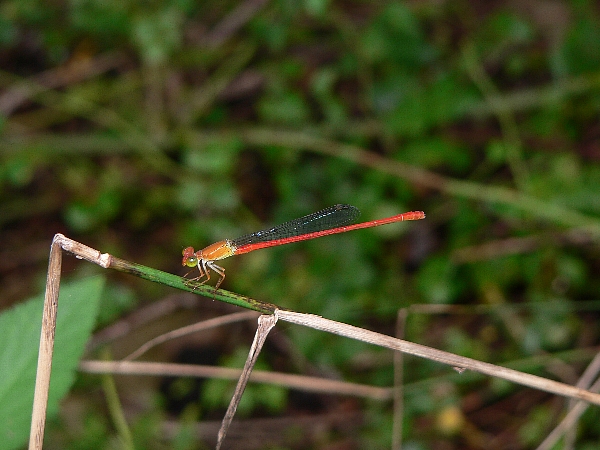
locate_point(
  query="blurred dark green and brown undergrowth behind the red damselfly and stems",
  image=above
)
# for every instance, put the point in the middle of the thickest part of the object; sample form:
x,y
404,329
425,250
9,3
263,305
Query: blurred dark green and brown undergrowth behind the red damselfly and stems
x,y
140,128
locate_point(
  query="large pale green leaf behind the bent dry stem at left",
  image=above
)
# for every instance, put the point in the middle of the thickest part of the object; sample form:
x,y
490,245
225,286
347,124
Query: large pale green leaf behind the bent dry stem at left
x,y
19,344
